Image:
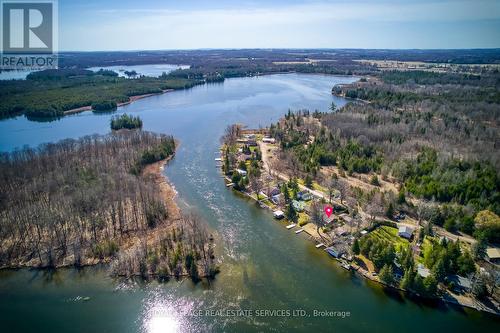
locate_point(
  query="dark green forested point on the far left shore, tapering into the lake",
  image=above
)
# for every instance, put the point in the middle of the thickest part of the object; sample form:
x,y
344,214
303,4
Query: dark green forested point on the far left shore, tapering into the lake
x,y
49,93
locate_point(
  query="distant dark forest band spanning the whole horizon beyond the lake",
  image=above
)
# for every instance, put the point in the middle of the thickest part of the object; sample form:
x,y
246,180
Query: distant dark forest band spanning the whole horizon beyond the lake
x,y
49,93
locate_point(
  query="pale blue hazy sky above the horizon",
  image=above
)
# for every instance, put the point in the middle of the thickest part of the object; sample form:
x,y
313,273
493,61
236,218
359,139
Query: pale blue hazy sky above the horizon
x,y
93,25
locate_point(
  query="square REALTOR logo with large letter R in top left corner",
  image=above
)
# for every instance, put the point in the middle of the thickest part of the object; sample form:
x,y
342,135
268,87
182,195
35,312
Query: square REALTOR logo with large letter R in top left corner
x,y
28,28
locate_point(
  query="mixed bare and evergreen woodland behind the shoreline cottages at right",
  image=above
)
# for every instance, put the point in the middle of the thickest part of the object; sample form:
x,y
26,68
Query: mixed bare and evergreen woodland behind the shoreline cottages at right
x,y
435,135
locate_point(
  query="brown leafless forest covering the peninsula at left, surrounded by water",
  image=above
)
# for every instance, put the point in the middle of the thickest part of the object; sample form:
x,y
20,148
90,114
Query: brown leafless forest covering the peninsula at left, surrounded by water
x,y
80,202
